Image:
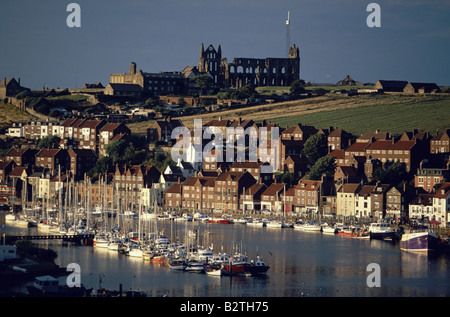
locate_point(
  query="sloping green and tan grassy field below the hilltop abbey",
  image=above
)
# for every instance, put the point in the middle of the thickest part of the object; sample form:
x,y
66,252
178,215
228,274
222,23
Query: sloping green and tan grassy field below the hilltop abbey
x,y
393,113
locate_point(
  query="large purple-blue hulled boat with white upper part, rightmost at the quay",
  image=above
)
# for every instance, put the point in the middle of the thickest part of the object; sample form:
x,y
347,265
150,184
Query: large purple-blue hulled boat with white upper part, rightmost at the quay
x,y
419,241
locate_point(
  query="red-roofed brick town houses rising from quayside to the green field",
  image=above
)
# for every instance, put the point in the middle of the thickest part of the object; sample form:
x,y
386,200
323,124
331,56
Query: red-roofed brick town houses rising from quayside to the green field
x,y
317,172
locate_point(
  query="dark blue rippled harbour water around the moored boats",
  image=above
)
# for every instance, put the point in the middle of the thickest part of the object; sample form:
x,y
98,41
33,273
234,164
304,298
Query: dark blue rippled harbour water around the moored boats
x,y
309,264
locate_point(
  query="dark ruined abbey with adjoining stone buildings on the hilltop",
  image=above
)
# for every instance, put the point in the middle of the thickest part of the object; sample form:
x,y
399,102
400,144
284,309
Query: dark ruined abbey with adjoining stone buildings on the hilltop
x,y
224,75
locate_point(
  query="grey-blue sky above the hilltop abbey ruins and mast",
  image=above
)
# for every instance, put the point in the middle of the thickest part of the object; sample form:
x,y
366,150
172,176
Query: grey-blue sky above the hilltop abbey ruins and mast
x,y
37,46
